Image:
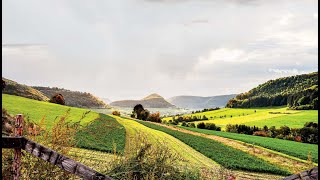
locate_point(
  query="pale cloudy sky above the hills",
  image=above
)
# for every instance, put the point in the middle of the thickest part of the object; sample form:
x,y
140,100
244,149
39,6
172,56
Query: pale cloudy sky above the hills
x,y
128,49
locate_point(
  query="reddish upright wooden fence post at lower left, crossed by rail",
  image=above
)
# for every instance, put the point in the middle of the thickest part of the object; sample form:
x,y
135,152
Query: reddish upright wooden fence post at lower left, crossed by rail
x,y
17,151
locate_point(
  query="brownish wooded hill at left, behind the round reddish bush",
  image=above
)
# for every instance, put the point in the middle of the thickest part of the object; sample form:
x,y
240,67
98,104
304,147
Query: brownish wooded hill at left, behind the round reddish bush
x,y
74,98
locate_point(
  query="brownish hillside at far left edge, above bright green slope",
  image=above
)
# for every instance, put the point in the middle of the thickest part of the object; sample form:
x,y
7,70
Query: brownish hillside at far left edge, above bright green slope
x,y
17,89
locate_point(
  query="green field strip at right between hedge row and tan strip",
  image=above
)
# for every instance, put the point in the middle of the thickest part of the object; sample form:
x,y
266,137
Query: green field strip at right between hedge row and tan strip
x,y
291,148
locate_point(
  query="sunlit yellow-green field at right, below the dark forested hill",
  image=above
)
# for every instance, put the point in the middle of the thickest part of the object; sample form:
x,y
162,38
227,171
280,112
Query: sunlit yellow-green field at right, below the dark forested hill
x,y
262,116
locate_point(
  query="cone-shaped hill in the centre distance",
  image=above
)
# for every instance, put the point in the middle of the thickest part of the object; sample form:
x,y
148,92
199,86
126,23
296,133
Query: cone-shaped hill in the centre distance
x,y
151,101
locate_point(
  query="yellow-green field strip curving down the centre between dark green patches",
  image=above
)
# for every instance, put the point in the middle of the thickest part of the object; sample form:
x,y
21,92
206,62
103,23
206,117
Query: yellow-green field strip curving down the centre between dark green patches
x,y
191,158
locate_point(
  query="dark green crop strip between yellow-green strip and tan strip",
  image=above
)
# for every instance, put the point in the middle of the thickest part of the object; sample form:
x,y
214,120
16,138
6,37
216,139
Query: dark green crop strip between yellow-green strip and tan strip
x,y
222,154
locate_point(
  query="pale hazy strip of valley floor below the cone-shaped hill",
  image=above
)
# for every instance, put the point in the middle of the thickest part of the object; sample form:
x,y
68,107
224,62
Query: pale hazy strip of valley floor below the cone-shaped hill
x,y
162,111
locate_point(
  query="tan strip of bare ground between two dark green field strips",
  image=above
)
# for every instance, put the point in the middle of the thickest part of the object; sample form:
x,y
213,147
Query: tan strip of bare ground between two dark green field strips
x,y
292,165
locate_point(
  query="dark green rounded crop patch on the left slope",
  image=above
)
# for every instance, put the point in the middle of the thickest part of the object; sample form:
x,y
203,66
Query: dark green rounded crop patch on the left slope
x,y
102,134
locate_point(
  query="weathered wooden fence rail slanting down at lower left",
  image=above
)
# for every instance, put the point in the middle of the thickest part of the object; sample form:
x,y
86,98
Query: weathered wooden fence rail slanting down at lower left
x,y
52,157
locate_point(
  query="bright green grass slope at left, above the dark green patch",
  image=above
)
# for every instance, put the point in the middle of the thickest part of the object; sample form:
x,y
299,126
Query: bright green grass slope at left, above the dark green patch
x,y
36,110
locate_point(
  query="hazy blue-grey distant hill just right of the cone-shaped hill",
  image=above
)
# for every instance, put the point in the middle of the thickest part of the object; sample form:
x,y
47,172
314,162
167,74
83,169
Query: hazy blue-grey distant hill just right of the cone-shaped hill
x,y
199,102
